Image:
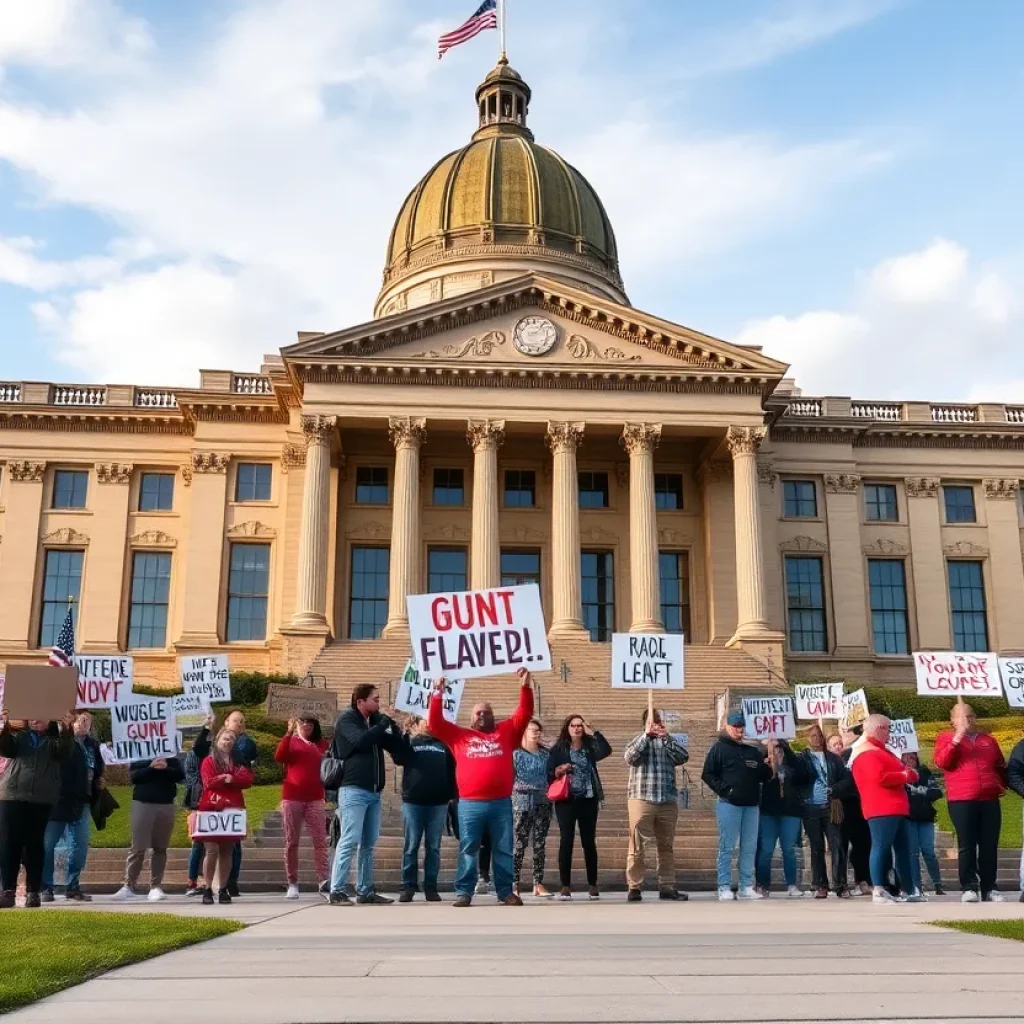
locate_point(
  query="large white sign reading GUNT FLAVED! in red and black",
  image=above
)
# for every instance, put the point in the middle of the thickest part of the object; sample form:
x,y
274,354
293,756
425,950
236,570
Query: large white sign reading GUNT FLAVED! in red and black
x,y
470,634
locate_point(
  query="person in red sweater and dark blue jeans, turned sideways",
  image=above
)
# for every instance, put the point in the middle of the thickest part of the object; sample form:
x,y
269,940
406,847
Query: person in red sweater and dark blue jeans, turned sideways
x,y
882,780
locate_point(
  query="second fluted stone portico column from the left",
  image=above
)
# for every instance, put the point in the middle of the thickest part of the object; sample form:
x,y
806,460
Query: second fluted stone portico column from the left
x,y
407,436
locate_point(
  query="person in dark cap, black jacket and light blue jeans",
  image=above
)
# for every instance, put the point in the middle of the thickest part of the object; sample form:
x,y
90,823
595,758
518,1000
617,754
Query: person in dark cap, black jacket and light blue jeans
x,y
735,771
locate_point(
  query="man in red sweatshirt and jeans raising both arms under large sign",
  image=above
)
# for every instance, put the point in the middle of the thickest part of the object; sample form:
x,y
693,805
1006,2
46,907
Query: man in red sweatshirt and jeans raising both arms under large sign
x,y
485,776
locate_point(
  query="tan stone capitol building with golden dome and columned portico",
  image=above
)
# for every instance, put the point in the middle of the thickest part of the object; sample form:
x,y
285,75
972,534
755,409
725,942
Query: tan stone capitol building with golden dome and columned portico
x,y
507,417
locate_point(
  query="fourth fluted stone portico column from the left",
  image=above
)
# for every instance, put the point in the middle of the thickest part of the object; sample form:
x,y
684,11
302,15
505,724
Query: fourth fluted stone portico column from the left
x,y
564,439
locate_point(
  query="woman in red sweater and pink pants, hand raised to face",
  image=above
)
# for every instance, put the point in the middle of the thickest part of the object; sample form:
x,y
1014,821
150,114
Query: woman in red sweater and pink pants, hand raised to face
x,y
302,752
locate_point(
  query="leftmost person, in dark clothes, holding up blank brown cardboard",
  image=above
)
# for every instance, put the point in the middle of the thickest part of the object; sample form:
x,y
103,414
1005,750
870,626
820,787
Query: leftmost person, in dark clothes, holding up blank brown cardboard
x,y
30,788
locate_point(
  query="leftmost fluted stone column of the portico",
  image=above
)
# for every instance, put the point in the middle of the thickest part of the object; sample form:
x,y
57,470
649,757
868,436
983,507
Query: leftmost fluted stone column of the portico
x,y
311,602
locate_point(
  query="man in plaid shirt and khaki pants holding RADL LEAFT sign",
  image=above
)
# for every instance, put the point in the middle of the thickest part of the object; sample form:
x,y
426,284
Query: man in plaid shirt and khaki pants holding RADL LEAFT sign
x,y
654,808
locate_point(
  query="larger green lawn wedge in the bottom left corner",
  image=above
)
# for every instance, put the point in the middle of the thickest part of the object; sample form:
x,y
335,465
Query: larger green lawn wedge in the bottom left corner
x,y
48,951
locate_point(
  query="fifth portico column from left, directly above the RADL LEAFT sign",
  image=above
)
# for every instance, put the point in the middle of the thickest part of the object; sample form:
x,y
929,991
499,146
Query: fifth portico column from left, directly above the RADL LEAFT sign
x,y
641,440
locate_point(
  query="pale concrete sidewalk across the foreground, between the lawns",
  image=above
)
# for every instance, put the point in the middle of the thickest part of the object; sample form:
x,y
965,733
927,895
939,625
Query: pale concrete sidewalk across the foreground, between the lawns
x,y
775,961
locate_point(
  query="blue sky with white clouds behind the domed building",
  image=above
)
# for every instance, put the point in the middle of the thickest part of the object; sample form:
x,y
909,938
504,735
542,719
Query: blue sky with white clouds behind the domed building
x,y
188,185
